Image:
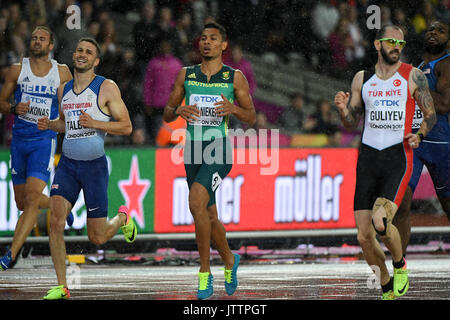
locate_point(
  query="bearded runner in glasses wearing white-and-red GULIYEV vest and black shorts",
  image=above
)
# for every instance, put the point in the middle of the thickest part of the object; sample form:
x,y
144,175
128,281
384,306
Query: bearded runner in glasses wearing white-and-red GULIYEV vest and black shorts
x,y
385,96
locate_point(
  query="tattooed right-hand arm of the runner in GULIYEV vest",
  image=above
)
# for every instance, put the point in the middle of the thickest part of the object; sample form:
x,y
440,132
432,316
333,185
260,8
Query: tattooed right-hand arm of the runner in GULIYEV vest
x,y
421,93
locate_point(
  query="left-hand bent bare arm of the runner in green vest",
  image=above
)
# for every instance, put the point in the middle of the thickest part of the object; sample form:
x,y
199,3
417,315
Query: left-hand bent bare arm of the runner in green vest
x,y
173,108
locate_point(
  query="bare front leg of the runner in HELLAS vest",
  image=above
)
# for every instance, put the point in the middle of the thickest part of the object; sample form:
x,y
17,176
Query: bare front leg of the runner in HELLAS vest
x,y
29,202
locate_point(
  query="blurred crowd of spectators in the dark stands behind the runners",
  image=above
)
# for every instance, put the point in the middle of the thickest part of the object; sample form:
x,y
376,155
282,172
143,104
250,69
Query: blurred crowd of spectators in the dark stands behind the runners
x,y
146,42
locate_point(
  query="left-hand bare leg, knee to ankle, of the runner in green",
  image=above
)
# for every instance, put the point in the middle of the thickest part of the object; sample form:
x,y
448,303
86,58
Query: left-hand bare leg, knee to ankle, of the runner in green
x,y
198,201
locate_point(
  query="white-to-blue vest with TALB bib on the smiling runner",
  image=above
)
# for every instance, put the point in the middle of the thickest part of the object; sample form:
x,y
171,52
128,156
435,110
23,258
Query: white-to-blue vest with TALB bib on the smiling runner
x,y
82,143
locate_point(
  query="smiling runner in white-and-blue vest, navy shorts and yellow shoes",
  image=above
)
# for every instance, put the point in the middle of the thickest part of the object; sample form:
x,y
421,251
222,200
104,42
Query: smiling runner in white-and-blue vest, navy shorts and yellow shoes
x,y
87,104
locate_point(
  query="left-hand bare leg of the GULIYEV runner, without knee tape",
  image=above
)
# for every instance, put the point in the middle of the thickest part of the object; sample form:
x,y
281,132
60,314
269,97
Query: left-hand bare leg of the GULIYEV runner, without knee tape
x,y
370,246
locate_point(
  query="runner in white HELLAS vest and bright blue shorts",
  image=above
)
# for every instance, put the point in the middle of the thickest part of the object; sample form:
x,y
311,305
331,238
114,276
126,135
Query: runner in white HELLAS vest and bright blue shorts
x,y
34,83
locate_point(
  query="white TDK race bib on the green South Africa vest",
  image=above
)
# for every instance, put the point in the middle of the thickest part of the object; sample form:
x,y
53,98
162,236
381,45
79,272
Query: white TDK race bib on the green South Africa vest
x,y
205,105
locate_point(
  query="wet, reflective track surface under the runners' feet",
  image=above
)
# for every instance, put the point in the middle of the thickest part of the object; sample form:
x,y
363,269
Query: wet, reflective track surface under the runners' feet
x,y
318,274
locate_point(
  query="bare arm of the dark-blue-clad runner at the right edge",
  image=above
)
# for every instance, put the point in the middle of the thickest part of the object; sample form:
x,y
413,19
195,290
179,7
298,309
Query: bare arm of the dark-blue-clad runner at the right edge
x,y
441,97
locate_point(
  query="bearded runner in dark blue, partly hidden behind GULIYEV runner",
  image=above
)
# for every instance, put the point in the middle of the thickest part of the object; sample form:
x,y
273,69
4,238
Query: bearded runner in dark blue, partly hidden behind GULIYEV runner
x,y
433,152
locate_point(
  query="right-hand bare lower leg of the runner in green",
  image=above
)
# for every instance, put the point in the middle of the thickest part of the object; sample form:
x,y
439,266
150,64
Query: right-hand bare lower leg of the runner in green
x,y
218,236
